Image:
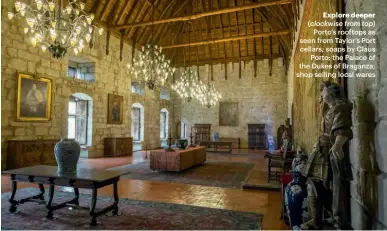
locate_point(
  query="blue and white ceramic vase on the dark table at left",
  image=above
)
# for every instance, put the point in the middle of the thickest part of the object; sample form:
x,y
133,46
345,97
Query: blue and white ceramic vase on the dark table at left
x,y
67,153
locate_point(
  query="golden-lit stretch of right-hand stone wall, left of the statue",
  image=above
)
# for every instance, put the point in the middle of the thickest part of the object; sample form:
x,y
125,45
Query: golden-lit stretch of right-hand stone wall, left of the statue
x,y
306,91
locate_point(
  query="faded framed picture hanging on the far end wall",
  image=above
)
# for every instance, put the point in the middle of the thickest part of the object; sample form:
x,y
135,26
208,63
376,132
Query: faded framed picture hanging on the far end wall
x,y
228,114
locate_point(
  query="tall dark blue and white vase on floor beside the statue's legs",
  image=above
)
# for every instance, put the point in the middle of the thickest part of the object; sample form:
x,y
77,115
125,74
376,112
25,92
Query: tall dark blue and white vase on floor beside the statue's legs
x,y
296,192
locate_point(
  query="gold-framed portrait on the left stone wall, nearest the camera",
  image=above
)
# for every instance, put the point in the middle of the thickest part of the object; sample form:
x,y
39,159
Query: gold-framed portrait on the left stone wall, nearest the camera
x,y
33,98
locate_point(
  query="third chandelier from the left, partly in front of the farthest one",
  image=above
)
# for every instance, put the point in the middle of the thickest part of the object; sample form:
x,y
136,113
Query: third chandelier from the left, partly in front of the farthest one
x,y
188,86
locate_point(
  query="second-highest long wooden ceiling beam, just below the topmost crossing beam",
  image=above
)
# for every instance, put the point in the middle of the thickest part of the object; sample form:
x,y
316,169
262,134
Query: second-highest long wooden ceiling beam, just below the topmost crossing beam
x,y
236,38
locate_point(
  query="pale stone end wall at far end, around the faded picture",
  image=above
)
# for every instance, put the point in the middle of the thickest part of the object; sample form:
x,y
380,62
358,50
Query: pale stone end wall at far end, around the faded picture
x,y
260,100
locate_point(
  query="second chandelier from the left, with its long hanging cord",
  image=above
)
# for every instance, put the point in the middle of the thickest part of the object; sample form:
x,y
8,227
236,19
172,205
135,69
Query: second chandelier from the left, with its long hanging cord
x,y
151,66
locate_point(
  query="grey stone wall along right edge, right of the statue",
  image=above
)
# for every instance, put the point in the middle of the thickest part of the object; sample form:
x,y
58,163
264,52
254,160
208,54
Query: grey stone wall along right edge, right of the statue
x,y
369,146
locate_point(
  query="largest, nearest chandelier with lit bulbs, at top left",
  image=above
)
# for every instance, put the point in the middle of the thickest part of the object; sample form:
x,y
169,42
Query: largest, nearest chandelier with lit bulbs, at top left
x,y
56,26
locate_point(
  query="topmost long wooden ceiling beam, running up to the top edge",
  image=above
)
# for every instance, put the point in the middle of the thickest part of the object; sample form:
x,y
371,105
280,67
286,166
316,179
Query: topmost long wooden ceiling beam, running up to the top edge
x,y
209,13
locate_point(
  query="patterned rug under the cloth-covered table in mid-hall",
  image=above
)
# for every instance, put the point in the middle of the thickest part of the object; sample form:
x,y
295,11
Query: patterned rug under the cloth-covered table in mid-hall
x,y
225,174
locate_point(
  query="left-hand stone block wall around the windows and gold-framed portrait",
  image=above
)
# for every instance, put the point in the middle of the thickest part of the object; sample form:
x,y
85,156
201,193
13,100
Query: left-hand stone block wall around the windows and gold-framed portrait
x,y
111,76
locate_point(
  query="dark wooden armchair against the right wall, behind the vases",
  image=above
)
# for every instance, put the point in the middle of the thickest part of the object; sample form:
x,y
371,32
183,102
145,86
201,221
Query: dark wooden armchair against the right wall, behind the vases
x,y
278,161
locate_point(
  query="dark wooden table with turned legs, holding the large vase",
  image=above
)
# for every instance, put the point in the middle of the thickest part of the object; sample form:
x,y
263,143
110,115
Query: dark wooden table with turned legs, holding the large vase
x,y
83,178
